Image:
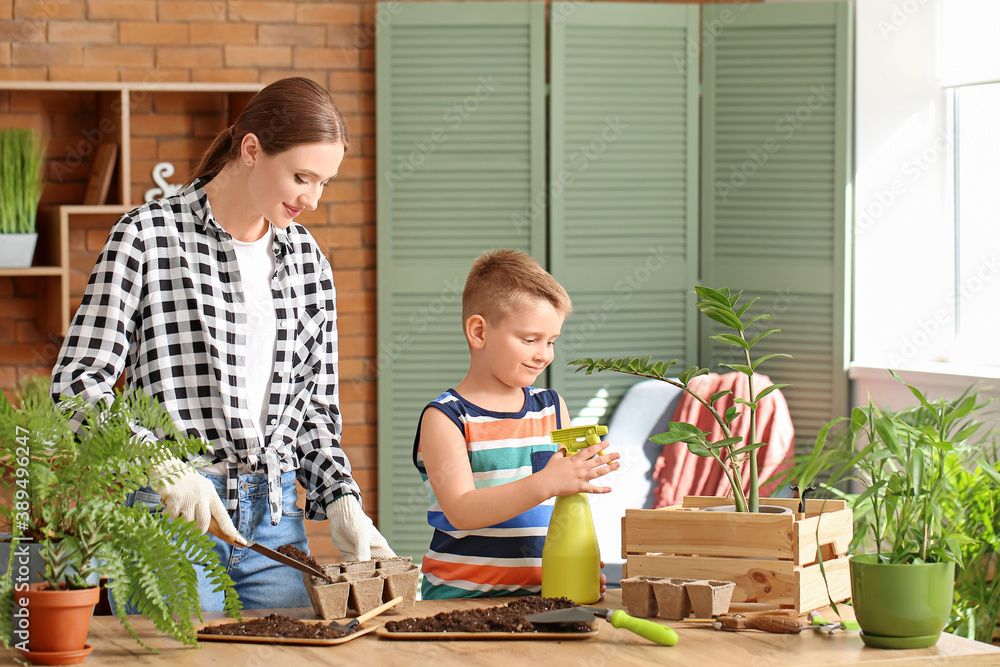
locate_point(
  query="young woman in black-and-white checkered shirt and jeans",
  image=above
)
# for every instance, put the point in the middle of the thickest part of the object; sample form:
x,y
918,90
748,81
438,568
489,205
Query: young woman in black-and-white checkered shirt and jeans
x,y
216,302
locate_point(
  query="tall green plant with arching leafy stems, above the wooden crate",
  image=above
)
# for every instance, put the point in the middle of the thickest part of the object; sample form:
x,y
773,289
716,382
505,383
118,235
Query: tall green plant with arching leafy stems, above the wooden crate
x,y
732,452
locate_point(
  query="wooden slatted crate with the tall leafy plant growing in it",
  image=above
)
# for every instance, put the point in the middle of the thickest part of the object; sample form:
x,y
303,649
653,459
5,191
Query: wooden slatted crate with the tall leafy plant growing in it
x,y
772,558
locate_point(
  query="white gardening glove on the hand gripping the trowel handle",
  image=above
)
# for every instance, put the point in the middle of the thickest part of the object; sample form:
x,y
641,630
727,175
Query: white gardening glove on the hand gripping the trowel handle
x,y
188,495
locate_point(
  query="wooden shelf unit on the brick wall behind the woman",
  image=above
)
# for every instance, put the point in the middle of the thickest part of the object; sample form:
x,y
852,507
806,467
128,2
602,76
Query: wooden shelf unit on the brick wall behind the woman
x,y
151,122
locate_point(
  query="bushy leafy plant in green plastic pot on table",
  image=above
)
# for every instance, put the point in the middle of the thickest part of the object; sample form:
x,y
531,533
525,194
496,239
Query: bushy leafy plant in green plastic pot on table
x,y
916,469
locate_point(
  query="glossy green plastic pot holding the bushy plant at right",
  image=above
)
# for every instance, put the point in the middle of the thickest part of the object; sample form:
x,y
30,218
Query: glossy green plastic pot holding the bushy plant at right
x,y
901,606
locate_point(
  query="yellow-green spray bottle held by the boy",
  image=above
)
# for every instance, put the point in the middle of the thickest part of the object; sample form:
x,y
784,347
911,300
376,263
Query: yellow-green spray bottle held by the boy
x,y
571,558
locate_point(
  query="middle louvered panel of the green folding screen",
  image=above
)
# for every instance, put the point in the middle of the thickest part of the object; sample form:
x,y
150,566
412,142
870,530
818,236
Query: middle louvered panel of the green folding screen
x,y
623,183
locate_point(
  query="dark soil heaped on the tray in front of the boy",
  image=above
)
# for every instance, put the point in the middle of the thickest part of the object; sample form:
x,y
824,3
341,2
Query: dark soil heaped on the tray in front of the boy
x,y
503,618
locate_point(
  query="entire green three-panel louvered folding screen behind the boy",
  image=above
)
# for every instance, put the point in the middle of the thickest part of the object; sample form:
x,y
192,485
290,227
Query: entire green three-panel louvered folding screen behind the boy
x,y
613,181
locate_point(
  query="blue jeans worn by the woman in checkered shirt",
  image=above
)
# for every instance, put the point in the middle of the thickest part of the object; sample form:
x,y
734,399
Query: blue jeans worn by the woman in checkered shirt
x,y
260,582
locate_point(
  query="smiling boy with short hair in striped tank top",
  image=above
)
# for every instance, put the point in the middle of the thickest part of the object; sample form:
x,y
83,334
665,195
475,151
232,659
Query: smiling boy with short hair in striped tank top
x,y
483,448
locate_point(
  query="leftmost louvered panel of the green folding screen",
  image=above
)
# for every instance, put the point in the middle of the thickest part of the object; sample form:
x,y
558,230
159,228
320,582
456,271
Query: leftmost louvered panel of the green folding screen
x,y
461,148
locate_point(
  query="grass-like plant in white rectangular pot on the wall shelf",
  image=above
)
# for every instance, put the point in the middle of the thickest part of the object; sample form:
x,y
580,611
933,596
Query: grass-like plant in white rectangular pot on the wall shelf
x,y
22,154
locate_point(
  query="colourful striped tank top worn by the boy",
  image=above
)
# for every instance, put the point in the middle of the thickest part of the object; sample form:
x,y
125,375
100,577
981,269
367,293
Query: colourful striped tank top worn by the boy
x,y
505,558
